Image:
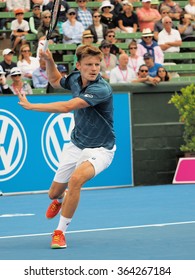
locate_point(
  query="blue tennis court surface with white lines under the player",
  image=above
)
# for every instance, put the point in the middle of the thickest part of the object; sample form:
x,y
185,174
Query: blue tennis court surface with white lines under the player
x,y
141,223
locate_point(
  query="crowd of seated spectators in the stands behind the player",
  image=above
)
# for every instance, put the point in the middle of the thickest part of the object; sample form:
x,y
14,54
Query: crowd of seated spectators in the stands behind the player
x,y
163,25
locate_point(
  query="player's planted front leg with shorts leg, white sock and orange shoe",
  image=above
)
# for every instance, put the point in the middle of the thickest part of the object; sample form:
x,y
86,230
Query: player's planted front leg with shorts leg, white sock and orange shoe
x,y
91,163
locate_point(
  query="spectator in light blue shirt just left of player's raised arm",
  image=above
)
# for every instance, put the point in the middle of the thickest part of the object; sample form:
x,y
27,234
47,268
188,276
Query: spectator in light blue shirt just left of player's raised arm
x,y
39,76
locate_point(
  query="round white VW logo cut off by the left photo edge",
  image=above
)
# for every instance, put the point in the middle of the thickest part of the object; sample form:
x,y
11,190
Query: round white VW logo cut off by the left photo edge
x,y
13,145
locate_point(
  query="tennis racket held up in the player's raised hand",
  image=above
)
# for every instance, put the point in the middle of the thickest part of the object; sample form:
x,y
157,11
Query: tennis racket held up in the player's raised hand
x,y
53,22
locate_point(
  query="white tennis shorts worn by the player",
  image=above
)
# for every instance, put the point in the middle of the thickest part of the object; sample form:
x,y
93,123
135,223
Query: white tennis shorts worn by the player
x,y
72,157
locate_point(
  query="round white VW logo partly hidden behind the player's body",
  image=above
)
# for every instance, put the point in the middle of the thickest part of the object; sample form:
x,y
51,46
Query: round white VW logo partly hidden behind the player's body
x,y
55,135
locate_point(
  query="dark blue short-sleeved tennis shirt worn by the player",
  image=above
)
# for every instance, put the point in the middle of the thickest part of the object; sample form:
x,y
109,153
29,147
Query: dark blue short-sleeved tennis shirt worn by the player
x,y
93,124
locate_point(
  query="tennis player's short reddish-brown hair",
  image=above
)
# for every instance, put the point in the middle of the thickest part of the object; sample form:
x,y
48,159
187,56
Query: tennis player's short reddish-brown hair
x,y
88,50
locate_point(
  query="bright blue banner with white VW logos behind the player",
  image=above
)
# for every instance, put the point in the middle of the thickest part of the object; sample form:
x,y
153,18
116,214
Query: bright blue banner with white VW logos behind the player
x,y
31,144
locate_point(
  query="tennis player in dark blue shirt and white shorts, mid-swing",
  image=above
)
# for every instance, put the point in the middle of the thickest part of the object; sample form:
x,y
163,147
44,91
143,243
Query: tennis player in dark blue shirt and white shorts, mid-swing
x,y
92,145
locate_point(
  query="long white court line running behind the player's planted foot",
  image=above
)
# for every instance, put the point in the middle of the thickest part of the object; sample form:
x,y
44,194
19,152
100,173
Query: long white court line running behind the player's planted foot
x,y
101,229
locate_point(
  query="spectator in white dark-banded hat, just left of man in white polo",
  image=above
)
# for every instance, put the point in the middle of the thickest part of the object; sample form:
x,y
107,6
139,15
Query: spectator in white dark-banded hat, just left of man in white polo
x,y
149,45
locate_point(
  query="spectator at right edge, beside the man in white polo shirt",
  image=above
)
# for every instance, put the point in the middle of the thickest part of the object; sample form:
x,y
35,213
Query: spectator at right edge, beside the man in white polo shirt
x,y
185,27
